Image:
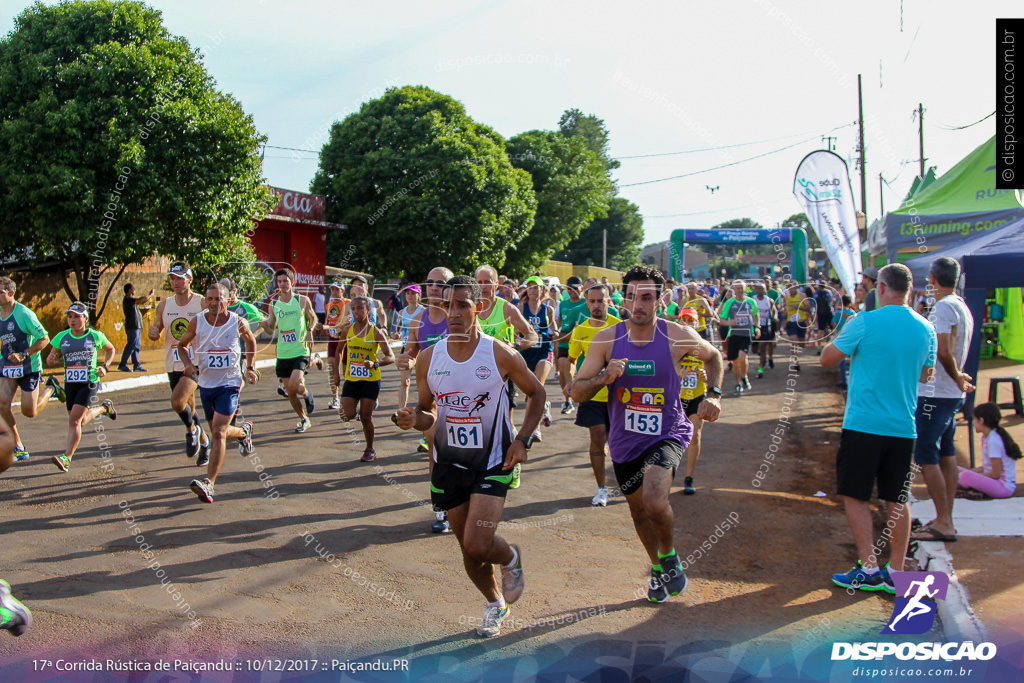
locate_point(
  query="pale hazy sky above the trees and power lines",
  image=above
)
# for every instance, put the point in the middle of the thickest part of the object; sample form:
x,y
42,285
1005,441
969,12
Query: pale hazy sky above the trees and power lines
x,y
665,76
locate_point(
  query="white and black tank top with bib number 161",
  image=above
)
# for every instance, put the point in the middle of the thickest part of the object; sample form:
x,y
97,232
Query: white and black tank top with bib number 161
x,y
474,431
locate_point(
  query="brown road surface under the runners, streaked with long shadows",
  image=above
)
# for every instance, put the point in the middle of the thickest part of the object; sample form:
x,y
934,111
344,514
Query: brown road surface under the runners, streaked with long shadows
x,y
328,558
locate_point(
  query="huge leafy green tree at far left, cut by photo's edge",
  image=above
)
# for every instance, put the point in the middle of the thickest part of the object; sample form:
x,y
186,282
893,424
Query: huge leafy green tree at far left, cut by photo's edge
x,y
117,146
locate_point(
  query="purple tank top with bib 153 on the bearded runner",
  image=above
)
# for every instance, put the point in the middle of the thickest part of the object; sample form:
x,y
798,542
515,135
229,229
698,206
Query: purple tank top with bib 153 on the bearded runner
x,y
644,404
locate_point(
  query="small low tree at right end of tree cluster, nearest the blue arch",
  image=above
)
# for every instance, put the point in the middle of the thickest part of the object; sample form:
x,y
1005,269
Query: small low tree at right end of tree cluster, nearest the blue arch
x,y
625,227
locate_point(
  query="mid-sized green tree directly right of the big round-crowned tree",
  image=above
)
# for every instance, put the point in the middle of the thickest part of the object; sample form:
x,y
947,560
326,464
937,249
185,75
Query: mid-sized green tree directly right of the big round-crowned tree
x,y
571,188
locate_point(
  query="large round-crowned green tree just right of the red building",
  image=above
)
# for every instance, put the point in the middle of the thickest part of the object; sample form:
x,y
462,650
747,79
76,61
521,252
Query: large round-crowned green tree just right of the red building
x,y
420,184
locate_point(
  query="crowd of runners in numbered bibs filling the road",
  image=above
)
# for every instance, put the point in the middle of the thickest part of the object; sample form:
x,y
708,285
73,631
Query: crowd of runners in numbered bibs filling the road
x,y
642,367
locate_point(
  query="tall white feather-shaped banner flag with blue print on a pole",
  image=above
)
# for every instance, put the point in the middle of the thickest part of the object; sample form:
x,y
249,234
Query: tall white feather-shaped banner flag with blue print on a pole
x,y
823,188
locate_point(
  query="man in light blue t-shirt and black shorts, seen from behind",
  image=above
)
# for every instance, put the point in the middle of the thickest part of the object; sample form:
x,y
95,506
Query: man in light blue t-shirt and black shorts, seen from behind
x,y
891,350
